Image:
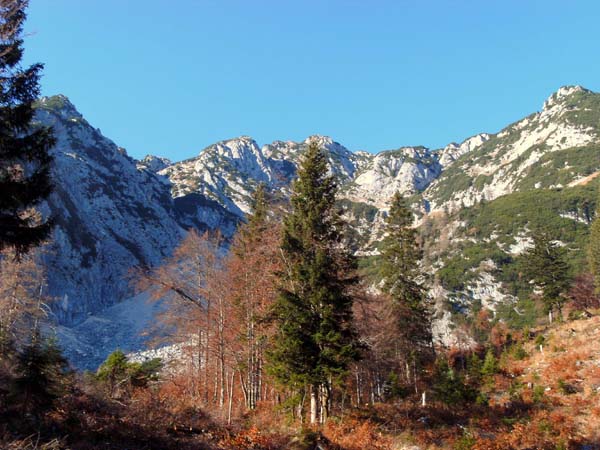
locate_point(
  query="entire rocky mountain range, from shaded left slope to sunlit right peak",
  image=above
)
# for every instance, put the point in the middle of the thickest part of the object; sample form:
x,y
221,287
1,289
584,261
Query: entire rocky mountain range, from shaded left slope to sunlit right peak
x,y
115,212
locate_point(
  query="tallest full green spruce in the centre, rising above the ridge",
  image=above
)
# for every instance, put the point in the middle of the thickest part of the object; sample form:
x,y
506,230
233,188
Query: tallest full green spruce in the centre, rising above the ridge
x,y
315,339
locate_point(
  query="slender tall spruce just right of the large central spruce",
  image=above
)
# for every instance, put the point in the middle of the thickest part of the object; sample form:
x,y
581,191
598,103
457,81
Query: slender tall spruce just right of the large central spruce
x,y
400,261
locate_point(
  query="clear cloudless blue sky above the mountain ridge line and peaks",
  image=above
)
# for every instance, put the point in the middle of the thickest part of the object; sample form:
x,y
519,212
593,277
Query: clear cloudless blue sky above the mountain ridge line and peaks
x,y
171,77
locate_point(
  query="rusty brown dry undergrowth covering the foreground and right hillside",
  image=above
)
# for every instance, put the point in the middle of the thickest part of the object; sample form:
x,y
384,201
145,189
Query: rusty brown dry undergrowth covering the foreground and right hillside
x,y
545,400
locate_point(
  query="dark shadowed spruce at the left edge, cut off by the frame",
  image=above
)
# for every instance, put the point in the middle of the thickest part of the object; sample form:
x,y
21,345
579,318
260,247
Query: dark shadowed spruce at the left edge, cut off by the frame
x,y
24,152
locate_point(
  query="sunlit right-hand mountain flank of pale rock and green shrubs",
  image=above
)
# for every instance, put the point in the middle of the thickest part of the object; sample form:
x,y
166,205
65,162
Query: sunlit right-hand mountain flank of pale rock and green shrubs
x,y
539,173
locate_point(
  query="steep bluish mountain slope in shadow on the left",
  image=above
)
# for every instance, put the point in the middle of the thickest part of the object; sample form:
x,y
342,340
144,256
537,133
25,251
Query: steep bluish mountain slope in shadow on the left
x,y
111,214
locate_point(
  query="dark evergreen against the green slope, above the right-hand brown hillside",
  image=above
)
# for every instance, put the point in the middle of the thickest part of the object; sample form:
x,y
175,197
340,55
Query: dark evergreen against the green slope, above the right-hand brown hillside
x,y
546,265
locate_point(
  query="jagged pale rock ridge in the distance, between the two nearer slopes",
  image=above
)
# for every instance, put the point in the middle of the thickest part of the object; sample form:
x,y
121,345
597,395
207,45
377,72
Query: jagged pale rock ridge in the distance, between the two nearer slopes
x,y
229,171
